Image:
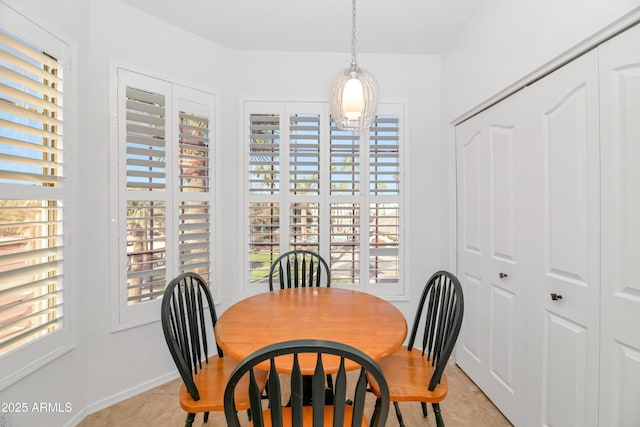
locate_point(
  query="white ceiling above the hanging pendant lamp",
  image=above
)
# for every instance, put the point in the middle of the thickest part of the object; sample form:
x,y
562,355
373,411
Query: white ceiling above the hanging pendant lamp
x,y
383,26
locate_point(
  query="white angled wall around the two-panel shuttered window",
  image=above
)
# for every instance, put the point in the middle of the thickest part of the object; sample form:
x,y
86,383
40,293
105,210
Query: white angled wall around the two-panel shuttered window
x,y
123,363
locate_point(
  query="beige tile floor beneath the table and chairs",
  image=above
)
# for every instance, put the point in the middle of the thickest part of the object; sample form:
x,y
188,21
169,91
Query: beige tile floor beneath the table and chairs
x,y
464,406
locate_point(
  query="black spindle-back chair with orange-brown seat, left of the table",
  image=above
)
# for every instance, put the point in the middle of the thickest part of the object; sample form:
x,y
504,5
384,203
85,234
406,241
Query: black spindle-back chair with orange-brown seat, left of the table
x,y
186,326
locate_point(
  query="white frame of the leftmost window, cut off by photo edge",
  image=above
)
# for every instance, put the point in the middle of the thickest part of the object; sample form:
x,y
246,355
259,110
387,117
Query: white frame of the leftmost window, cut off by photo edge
x,y
28,358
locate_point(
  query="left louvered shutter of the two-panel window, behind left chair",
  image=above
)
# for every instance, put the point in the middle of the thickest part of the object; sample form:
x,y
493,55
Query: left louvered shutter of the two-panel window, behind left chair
x,y
146,134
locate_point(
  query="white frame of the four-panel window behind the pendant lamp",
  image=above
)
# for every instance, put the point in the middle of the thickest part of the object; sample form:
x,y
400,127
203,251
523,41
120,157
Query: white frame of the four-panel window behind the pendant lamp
x,y
395,291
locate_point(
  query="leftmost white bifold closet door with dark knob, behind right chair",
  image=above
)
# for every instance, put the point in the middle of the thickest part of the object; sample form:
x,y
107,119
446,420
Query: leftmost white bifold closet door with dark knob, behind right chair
x,y
493,341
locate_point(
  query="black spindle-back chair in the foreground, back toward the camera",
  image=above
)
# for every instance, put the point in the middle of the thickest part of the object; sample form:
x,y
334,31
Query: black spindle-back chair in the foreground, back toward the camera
x,y
342,412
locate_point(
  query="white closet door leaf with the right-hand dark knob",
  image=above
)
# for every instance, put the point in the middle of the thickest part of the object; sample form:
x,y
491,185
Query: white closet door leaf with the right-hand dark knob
x,y
563,176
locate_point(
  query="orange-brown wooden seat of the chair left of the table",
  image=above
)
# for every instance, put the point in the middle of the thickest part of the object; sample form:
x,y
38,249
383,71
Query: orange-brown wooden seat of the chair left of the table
x,y
211,381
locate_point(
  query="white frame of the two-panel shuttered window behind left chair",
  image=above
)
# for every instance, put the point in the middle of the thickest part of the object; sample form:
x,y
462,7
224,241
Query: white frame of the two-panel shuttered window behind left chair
x,y
123,315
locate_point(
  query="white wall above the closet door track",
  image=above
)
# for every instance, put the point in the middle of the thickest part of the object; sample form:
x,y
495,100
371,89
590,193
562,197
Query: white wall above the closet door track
x,y
507,40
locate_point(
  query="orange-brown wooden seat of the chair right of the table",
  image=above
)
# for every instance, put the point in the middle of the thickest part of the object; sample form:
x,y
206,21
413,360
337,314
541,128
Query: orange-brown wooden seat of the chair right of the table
x,y
408,374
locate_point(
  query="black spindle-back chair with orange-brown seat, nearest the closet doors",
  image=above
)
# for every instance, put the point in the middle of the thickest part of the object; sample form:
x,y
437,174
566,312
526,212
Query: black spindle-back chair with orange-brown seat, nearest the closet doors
x,y
417,375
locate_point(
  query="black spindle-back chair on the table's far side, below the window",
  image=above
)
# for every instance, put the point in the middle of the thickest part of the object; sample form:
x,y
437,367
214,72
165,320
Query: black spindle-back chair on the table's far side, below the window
x,y
300,268
